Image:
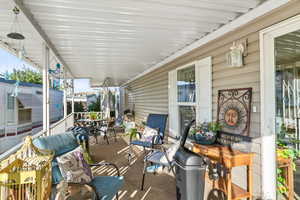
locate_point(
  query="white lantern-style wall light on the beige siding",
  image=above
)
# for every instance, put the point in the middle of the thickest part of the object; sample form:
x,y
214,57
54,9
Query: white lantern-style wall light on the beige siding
x,y
235,57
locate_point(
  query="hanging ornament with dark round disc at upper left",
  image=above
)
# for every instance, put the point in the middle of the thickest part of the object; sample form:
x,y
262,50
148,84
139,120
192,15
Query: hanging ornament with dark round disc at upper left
x,y
16,34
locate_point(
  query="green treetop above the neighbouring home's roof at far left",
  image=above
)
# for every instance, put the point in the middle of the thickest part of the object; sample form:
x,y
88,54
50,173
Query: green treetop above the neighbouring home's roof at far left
x,y
25,75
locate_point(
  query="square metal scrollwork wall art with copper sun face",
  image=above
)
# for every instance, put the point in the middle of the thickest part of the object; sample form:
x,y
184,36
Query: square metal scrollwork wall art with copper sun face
x,y
234,108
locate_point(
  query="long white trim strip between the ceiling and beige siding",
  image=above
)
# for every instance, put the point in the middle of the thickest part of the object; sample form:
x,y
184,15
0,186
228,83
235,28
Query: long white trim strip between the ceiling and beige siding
x,y
240,21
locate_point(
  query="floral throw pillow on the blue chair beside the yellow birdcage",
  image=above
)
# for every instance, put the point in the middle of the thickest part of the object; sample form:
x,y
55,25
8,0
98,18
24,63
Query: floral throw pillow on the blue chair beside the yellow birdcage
x,y
74,168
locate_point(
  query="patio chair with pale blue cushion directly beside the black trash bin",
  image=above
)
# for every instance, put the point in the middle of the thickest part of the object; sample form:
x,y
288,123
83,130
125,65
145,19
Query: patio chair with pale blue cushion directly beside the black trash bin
x,y
159,158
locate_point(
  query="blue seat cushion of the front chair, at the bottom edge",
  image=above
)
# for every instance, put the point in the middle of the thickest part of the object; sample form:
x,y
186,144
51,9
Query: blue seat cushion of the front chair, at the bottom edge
x,y
107,186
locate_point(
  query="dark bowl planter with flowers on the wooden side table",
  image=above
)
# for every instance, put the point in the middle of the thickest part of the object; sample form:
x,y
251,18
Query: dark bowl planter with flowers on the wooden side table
x,y
206,133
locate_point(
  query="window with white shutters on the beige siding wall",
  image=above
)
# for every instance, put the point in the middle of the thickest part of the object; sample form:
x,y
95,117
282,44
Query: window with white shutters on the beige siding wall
x,y
190,95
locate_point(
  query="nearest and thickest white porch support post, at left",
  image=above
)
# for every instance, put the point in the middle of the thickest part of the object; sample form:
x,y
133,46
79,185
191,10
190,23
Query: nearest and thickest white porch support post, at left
x,y
46,100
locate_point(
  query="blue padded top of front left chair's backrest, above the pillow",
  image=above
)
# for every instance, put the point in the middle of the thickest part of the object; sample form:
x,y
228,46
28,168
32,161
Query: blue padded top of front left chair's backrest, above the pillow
x,y
60,143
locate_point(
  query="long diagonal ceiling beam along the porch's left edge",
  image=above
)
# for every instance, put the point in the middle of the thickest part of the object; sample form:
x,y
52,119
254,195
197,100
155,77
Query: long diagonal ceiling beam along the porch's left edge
x,y
42,33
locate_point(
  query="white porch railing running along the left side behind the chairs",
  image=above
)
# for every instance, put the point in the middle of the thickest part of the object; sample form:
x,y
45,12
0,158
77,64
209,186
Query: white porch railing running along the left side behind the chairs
x,y
59,127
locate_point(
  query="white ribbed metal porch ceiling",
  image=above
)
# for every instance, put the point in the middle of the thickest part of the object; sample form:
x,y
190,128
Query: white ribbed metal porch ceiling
x,y
121,38
